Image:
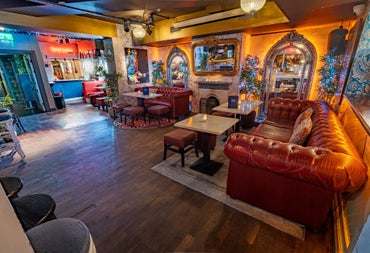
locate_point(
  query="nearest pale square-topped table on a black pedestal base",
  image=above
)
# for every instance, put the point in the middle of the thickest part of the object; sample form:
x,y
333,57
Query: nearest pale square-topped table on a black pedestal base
x,y
207,125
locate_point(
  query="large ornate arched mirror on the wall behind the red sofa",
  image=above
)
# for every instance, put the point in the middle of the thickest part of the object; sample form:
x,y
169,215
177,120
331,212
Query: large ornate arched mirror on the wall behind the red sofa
x,y
289,68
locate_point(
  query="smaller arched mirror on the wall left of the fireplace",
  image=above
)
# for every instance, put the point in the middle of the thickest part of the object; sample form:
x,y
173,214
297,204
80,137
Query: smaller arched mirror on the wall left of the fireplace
x,y
177,68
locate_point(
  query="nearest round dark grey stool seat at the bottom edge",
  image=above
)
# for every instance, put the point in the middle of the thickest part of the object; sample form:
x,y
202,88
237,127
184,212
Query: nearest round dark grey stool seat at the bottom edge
x,y
61,235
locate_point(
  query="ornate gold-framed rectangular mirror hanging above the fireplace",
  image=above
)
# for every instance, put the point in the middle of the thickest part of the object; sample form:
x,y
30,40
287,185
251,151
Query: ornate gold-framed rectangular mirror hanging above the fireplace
x,y
216,56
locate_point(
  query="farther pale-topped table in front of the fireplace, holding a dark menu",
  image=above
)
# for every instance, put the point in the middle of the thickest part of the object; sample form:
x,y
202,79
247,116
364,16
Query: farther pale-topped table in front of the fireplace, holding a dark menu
x,y
244,108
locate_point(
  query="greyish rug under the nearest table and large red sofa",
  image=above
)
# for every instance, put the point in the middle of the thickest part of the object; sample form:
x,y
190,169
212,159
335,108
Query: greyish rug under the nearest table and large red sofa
x,y
215,187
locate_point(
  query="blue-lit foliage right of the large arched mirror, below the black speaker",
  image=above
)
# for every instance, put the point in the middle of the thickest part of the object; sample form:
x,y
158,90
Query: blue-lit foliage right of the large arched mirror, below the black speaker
x,y
329,75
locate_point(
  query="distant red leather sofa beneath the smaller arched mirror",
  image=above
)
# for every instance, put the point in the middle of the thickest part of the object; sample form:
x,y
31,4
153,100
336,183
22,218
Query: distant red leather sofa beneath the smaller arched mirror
x,y
177,99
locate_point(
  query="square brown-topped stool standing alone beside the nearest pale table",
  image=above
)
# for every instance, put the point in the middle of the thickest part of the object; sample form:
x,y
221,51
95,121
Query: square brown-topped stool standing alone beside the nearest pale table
x,y
183,139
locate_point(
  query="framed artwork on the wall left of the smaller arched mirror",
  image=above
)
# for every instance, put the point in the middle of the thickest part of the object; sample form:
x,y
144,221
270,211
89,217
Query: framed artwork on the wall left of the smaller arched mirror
x,y
137,65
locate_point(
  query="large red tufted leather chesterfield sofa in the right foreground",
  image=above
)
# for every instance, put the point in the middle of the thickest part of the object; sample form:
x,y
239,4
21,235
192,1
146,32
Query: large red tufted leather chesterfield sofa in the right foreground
x,y
293,181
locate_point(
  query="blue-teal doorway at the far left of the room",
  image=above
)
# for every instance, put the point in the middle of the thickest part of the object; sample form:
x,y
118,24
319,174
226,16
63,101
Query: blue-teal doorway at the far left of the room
x,y
18,80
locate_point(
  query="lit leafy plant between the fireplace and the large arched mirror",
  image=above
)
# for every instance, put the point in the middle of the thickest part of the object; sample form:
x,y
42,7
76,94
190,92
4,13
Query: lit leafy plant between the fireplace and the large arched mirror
x,y
250,82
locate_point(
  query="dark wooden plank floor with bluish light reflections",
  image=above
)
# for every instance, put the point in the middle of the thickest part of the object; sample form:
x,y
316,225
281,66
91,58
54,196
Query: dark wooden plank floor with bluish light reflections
x,y
101,175
